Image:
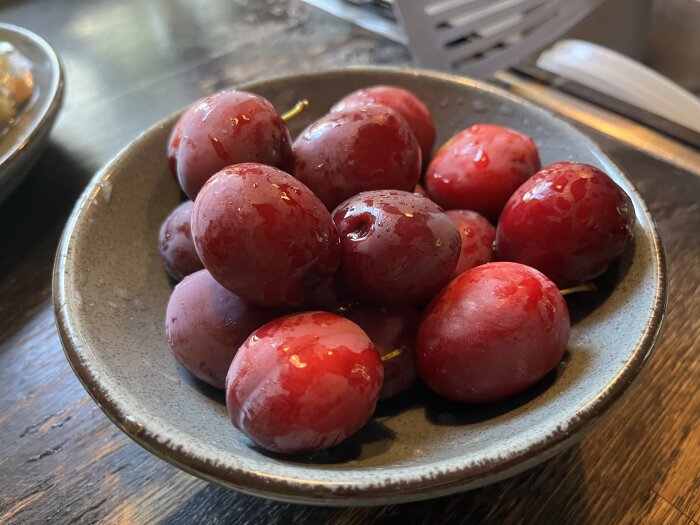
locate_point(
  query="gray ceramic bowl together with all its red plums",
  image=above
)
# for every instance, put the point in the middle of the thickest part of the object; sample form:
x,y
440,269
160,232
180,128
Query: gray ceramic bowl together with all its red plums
x,y
360,286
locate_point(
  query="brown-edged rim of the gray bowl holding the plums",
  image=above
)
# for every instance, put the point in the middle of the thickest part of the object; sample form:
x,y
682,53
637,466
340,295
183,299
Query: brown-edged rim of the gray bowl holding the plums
x,y
457,478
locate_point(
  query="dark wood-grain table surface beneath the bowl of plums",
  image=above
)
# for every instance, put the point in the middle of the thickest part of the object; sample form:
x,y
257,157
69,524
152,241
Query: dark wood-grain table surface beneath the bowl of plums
x,y
128,64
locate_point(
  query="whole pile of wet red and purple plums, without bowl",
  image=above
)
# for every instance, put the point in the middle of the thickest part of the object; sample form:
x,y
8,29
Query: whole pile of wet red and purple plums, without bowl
x,y
322,275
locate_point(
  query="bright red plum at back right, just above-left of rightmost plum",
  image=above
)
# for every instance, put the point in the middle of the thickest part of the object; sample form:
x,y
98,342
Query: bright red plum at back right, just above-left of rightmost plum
x,y
479,169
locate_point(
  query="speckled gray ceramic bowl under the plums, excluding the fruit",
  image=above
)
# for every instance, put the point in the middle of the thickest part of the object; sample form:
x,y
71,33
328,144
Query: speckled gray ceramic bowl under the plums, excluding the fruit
x,y
110,294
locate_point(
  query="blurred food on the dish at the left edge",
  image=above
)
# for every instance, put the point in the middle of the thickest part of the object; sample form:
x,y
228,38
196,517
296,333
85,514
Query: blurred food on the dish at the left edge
x,y
16,82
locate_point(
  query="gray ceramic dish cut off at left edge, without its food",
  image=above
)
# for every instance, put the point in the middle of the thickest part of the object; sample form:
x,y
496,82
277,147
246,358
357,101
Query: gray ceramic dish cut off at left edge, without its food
x,y
22,142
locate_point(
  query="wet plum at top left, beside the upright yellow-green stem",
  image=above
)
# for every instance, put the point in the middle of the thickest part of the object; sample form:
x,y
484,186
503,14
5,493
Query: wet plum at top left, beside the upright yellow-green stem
x,y
230,127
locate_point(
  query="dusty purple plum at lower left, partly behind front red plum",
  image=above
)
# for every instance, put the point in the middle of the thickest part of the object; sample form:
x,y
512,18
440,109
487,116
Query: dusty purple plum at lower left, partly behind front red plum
x,y
205,324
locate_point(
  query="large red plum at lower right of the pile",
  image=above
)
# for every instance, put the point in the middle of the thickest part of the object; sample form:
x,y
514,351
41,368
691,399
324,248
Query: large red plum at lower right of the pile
x,y
492,332
